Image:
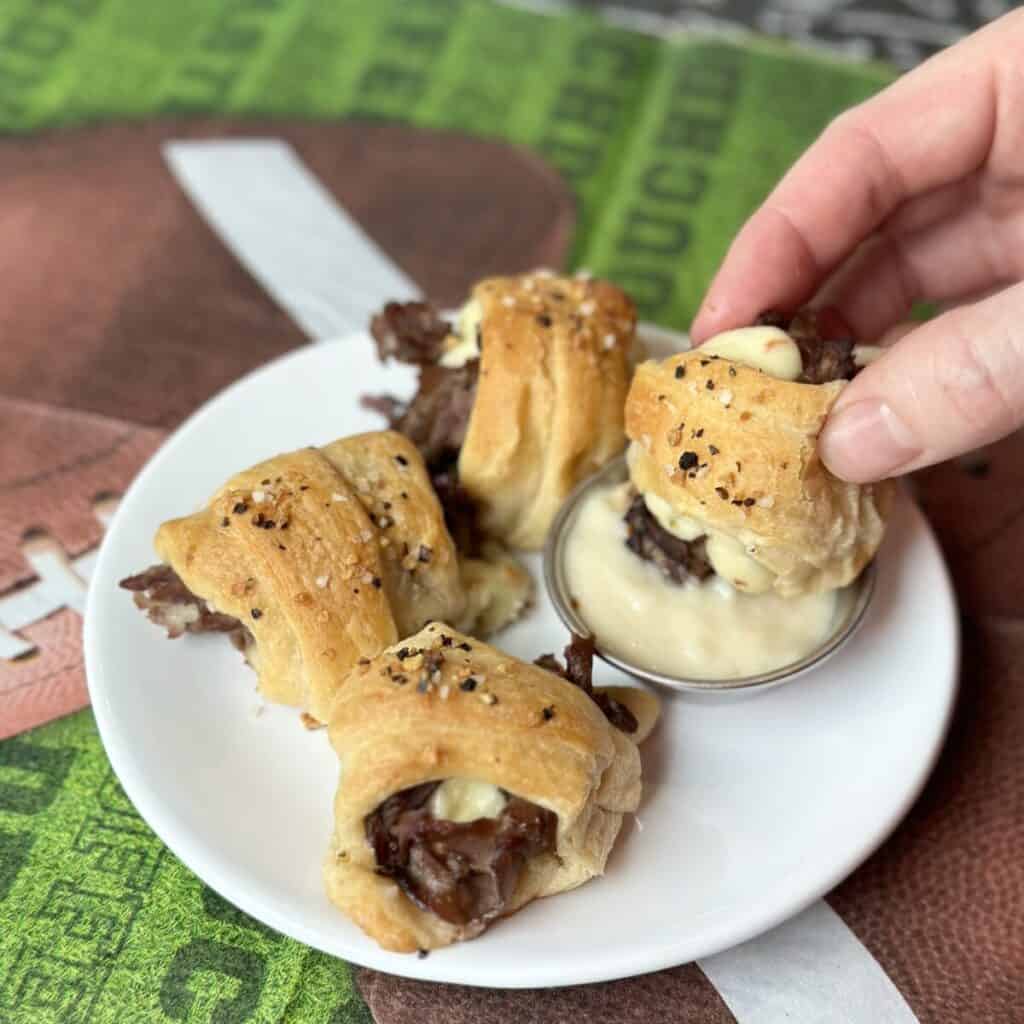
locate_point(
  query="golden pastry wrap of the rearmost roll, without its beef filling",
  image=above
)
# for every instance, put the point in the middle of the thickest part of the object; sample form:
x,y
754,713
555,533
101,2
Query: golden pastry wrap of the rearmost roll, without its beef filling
x,y
554,372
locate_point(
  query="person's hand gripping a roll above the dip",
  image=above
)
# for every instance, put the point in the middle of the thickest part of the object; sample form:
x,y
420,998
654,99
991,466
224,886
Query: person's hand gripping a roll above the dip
x,y
916,195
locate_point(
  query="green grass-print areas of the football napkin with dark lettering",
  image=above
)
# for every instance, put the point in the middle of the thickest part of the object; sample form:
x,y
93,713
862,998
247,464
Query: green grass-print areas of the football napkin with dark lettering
x,y
668,144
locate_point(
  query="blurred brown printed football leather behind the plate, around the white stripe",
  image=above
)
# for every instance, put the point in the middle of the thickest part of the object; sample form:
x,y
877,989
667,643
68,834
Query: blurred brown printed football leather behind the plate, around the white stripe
x,y
119,301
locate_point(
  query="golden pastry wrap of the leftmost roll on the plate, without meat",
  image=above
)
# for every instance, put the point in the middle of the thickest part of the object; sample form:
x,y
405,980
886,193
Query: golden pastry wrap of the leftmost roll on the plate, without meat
x,y
326,556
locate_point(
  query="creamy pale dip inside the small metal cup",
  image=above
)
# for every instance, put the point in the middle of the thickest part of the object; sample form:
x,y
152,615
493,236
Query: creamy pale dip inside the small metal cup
x,y
695,630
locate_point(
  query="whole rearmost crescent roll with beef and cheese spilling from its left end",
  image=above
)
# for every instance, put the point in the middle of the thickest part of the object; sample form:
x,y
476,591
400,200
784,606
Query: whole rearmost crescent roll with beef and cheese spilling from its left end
x,y
519,401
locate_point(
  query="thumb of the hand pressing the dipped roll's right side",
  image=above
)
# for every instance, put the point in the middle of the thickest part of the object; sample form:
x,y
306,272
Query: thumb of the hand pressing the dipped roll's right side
x,y
952,386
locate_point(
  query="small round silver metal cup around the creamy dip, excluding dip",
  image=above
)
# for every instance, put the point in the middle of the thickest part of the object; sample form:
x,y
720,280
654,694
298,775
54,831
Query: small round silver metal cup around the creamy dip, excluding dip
x,y
851,608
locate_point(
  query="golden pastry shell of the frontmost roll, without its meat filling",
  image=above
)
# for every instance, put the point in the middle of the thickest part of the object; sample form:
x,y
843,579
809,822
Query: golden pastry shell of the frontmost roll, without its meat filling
x,y
403,720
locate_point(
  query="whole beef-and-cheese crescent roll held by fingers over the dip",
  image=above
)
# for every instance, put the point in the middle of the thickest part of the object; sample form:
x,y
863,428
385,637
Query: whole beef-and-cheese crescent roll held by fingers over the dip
x,y
724,459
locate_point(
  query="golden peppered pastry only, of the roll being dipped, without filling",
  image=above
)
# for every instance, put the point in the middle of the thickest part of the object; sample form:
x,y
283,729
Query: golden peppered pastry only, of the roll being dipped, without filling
x,y
736,450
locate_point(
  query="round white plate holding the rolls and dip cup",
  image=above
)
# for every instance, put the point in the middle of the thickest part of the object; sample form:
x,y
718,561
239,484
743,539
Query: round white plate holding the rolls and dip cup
x,y
752,809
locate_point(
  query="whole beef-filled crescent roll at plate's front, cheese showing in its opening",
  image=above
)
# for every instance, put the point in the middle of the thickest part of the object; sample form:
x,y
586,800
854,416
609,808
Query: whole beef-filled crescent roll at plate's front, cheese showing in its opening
x,y
472,784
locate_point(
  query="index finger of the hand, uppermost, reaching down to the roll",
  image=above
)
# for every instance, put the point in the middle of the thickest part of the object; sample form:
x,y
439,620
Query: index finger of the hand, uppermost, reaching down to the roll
x,y
932,127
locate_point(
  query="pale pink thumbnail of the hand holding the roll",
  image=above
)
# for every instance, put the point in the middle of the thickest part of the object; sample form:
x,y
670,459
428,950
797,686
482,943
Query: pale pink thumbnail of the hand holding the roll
x,y
867,441
